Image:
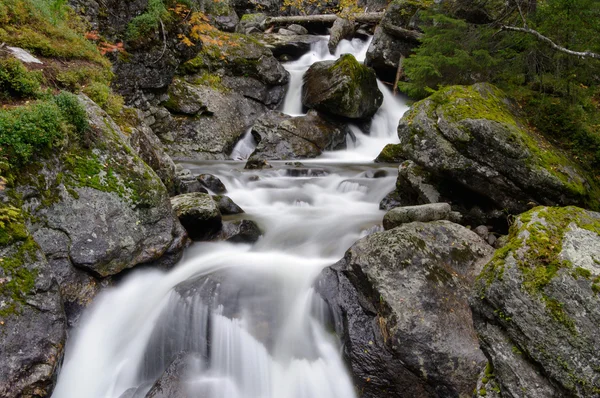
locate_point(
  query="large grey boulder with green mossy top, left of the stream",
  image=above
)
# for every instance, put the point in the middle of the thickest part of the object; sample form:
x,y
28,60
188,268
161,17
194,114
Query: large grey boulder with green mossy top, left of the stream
x,y
94,207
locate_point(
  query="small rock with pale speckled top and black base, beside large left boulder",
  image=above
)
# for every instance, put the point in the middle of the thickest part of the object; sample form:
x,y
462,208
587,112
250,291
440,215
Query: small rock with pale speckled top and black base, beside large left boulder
x,y
198,214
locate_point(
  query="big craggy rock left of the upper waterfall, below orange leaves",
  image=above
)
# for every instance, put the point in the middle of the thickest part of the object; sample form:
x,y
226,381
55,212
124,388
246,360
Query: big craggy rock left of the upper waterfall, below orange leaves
x,y
221,93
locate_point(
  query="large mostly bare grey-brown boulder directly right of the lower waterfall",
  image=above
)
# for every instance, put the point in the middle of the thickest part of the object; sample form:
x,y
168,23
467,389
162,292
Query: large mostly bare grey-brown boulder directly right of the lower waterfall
x,y
400,305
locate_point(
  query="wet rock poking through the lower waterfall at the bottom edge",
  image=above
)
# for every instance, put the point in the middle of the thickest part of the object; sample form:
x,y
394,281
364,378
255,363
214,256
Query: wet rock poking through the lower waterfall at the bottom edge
x,y
172,383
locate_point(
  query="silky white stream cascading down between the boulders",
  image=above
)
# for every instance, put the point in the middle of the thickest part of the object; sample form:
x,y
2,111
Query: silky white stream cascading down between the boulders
x,y
246,315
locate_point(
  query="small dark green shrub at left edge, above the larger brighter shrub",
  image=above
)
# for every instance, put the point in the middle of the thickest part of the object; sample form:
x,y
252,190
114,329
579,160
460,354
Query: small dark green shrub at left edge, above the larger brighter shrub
x,y
17,81
